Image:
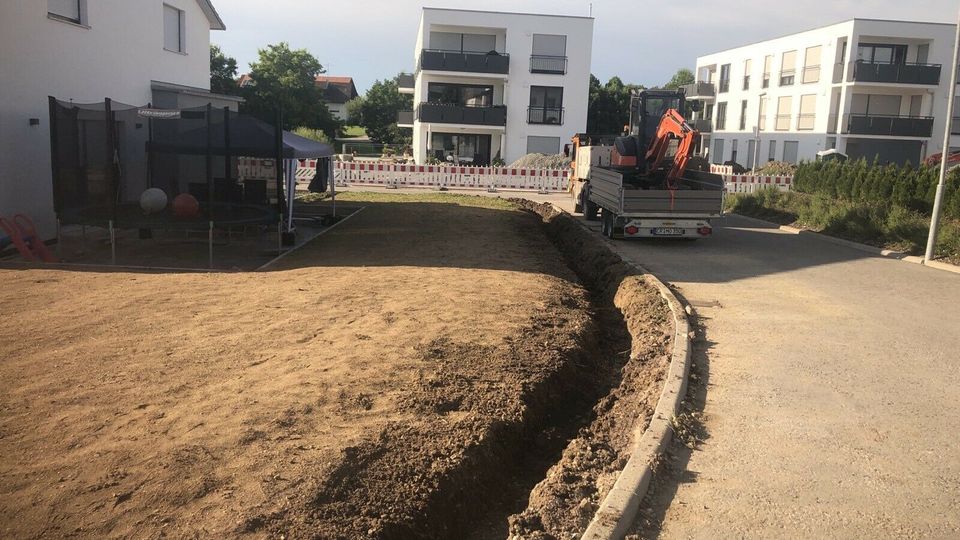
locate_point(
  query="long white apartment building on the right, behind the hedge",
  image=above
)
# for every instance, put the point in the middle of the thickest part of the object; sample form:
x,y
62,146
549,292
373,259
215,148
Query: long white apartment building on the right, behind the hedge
x,y
864,87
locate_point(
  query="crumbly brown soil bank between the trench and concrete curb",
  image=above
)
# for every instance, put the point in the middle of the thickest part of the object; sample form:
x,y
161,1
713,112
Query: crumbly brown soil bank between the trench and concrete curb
x,y
562,505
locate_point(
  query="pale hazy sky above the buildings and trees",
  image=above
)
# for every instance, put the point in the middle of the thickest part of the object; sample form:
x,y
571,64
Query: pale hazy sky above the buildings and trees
x,y
641,41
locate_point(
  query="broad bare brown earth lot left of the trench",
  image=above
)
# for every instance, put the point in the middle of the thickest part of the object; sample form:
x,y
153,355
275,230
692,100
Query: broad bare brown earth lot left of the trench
x,y
369,366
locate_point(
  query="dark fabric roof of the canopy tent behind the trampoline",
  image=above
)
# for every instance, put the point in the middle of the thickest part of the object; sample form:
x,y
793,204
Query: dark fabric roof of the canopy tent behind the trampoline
x,y
248,137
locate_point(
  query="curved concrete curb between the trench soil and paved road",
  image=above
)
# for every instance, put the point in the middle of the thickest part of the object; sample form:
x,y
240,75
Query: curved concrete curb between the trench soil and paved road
x,y
617,511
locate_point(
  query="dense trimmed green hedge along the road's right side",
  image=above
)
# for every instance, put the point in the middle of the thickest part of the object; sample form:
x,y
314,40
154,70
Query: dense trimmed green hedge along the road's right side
x,y
891,186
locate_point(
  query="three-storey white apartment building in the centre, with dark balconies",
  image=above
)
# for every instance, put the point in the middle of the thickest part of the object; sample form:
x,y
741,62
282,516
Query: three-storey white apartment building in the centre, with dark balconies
x,y
491,84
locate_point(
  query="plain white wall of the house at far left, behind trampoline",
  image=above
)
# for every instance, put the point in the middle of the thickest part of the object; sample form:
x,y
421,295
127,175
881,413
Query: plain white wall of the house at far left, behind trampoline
x,y
132,51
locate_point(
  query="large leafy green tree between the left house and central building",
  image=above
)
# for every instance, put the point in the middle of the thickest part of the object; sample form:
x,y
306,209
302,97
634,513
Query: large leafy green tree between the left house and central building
x,y
287,78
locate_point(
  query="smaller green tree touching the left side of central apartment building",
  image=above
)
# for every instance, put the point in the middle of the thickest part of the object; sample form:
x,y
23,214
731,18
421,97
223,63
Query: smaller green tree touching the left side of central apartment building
x,y
377,112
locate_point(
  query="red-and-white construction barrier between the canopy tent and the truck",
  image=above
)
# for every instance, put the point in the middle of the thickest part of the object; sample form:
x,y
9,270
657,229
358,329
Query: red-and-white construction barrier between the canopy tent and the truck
x,y
450,176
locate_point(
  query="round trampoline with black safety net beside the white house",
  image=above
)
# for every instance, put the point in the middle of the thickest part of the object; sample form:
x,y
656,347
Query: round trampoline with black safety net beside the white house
x,y
105,155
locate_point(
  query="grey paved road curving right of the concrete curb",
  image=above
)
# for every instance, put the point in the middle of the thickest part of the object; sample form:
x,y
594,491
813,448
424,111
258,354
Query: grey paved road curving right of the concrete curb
x,y
832,405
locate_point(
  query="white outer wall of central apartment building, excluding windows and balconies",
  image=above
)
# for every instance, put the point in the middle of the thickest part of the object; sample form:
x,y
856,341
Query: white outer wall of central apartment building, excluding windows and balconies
x,y
515,37
